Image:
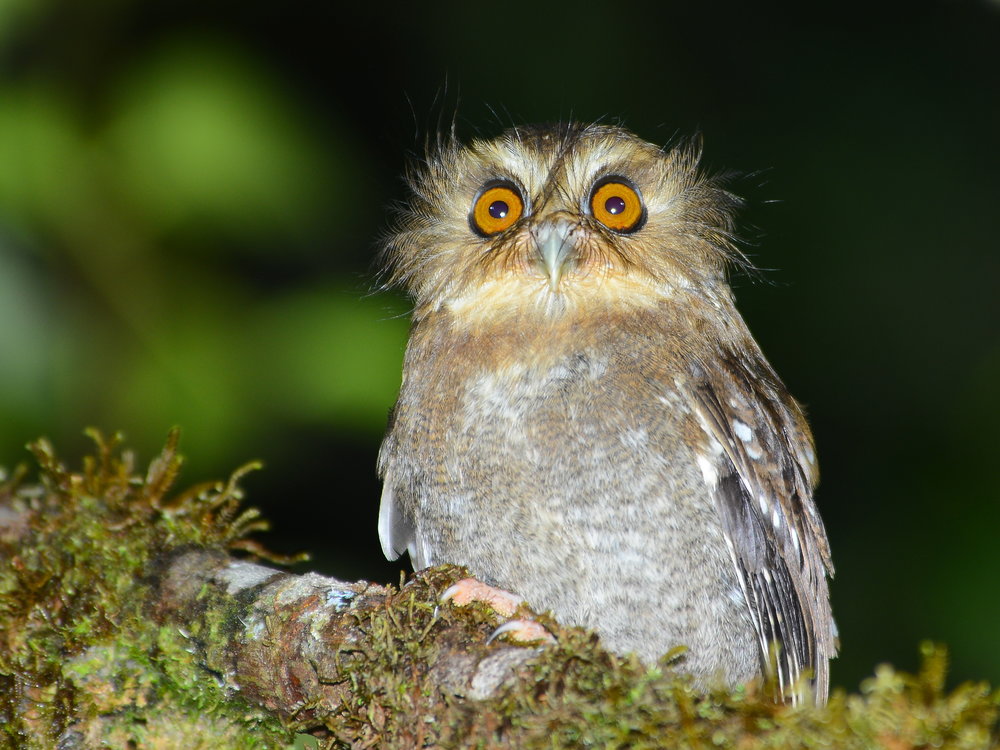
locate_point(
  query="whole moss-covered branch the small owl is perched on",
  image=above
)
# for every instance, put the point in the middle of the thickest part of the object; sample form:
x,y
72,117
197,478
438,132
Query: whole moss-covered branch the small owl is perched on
x,y
126,621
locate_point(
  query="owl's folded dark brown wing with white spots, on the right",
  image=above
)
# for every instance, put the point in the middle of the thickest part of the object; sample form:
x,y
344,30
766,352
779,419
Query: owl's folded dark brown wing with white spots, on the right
x,y
764,472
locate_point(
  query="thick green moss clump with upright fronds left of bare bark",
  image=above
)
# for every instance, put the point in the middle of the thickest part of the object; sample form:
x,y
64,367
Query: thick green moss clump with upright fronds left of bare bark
x,y
81,657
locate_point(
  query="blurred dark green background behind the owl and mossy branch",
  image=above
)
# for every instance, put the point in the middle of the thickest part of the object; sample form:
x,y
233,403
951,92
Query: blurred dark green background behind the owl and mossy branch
x,y
191,195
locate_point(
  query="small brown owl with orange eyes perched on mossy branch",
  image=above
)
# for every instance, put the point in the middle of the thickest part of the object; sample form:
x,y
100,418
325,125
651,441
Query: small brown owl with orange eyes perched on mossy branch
x,y
584,417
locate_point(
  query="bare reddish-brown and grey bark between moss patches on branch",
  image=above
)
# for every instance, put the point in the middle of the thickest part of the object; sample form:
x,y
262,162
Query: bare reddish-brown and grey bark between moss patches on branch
x,y
290,643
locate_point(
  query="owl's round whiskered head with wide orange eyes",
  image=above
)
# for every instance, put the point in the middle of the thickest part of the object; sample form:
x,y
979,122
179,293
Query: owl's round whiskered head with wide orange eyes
x,y
552,217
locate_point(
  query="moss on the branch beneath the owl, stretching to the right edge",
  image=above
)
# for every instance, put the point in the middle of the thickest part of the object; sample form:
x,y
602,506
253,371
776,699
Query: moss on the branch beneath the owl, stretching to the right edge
x,y
575,695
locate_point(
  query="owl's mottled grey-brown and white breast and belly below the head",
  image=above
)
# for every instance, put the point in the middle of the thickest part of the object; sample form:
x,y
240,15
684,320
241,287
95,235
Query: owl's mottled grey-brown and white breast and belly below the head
x,y
571,477
